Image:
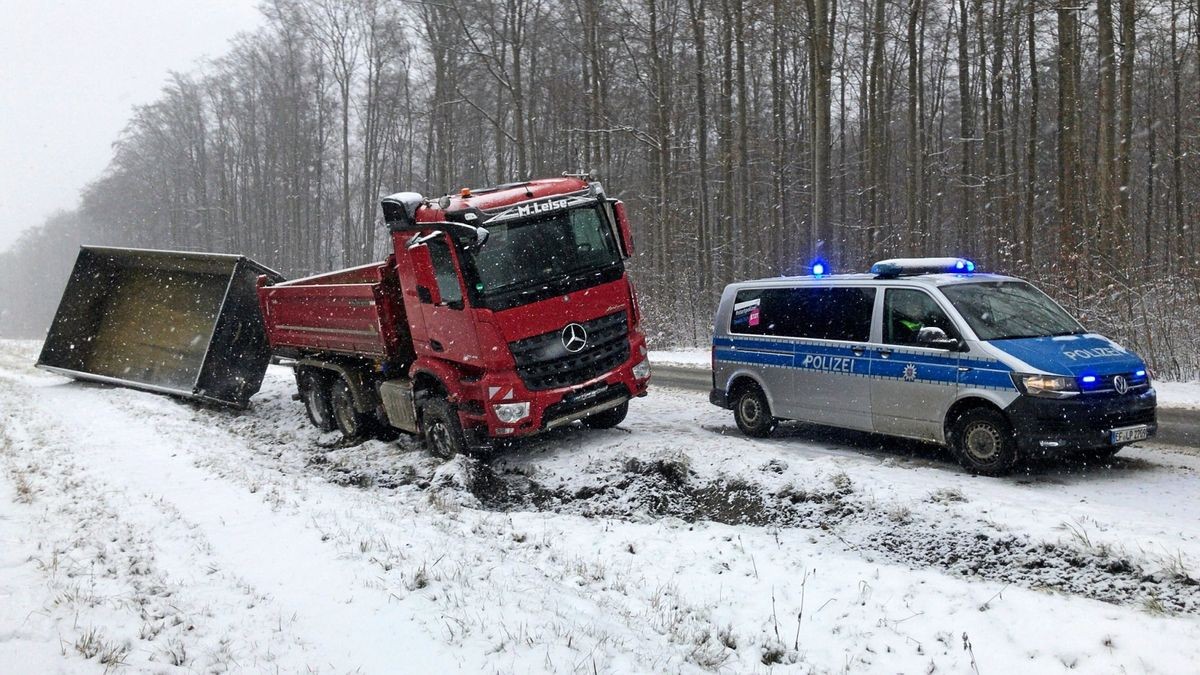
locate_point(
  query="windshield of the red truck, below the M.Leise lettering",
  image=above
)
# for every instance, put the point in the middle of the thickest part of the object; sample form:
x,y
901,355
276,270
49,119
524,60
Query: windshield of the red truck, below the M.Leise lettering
x,y
543,250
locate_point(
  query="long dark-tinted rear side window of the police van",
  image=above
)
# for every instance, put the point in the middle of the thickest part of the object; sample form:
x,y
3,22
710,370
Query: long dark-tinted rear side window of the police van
x,y
815,313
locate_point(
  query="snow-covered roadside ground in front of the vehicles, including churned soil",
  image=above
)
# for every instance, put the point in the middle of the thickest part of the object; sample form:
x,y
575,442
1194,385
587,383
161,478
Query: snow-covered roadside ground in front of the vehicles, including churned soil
x,y
146,534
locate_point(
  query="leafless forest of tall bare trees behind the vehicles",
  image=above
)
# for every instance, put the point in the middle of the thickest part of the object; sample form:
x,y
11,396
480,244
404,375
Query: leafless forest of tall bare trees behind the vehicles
x,y
1058,141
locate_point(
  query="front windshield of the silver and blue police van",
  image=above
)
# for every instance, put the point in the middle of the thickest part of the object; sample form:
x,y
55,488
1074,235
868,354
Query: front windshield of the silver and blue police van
x,y
1007,310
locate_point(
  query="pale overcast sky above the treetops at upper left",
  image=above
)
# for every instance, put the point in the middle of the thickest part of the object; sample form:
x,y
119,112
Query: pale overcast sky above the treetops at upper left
x,y
71,73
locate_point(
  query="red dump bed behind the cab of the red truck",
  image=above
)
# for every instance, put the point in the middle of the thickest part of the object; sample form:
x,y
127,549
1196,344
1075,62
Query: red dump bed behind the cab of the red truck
x,y
356,312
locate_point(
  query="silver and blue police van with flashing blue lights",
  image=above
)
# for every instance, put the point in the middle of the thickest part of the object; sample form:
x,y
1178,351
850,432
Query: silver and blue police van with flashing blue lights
x,y
927,349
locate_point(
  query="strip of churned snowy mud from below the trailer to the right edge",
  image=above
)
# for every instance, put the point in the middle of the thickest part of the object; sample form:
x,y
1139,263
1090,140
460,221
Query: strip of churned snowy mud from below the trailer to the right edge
x,y
667,486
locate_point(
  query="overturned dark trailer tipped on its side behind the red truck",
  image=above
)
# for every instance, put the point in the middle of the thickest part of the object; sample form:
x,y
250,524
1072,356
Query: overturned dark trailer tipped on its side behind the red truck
x,y
181,324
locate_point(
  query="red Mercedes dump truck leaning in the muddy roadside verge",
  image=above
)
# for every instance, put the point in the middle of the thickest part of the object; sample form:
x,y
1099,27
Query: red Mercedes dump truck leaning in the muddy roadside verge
x,y
502,313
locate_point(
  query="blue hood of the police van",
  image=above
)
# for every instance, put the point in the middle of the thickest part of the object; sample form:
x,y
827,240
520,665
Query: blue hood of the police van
x,y
1072,355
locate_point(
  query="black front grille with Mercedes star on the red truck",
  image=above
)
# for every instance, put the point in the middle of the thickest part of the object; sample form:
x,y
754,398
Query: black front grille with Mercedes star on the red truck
x,y
544,363
